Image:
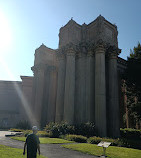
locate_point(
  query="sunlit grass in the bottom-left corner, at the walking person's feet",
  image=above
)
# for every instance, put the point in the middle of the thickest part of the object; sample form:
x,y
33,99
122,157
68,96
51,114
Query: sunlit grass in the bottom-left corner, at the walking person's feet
x,y
8,152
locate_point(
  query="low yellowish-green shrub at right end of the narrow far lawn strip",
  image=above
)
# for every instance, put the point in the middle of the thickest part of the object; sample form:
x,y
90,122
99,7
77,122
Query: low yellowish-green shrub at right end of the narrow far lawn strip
x,y
76,138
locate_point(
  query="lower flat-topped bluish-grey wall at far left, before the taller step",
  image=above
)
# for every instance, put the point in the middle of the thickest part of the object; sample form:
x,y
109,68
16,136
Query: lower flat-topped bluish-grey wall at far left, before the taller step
x,y
10,104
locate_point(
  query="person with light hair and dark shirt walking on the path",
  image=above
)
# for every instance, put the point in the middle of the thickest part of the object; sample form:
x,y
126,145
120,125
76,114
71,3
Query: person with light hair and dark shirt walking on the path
x,y
32,143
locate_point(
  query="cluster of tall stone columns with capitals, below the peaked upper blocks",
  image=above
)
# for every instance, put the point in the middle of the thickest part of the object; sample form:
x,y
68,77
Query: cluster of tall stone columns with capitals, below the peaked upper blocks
x,y
76,90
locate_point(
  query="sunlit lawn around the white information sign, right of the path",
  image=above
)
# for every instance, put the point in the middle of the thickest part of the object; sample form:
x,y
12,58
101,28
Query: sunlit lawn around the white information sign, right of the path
x,y
111,152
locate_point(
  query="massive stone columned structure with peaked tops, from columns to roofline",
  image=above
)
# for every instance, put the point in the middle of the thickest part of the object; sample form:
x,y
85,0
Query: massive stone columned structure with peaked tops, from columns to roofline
x,y
79,81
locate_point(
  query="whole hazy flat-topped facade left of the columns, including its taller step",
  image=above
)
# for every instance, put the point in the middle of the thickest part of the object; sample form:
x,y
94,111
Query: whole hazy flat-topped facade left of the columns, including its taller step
x,y
15,96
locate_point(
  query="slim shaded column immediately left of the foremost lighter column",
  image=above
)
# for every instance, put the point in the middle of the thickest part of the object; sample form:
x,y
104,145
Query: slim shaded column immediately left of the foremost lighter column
x,y
90,86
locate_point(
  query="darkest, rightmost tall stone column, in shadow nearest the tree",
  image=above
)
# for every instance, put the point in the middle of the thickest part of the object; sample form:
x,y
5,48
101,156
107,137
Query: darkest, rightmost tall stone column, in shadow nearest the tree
x,y
113,98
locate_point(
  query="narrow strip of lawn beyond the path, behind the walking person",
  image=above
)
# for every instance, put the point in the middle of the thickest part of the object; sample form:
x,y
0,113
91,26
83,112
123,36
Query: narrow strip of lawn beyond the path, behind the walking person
x,y
45,140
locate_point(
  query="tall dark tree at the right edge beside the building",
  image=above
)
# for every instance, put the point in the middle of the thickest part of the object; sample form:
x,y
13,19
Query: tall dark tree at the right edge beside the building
x,y
133,86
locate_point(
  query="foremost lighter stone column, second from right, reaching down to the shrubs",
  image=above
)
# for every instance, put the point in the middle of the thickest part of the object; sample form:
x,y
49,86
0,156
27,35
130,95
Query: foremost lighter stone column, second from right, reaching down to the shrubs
x,y
100,90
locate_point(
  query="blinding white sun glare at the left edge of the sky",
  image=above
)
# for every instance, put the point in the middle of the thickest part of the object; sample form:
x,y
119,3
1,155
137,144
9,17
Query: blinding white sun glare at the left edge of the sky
x,y
5,33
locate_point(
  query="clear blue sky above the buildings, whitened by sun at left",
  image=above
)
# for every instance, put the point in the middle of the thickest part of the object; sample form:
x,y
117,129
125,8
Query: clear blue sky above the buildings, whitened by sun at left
x,y
26,24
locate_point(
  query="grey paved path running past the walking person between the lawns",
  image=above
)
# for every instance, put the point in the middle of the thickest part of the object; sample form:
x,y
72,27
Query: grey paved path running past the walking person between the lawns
x,y
48,150
